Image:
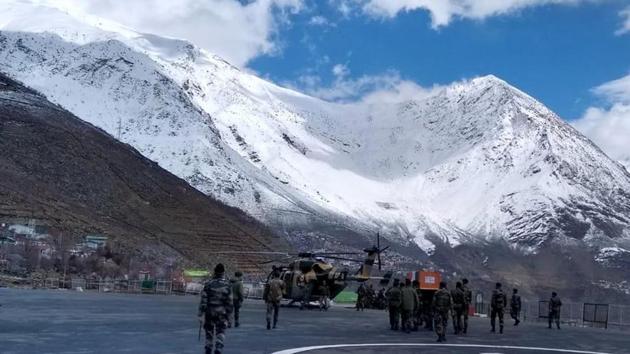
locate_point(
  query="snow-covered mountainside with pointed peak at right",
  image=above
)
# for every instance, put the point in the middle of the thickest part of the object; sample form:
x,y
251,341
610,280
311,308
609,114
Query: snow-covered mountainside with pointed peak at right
x,y
477,160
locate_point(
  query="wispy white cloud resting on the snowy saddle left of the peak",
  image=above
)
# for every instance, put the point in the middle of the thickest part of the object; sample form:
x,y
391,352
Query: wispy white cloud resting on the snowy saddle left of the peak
x,y
383,88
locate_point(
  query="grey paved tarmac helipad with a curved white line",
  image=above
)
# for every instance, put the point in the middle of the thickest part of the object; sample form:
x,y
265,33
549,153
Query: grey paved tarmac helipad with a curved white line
x,y
55,321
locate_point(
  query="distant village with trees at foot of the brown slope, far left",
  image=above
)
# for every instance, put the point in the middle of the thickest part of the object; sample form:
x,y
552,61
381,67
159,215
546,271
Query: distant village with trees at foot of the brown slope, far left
x,y
35,255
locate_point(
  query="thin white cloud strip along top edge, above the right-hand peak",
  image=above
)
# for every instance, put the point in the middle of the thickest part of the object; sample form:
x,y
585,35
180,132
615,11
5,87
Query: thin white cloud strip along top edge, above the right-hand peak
x,y
444,11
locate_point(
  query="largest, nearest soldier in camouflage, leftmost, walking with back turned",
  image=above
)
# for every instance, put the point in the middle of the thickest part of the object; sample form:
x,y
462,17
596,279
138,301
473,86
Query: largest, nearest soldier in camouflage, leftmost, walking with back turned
x,y
215,309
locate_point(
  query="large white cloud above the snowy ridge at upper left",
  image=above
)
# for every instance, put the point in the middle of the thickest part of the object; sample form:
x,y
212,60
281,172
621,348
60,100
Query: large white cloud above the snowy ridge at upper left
x,y
235,30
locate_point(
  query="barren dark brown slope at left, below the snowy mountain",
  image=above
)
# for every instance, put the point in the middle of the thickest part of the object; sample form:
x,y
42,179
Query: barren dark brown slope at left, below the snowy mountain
x,y
59,169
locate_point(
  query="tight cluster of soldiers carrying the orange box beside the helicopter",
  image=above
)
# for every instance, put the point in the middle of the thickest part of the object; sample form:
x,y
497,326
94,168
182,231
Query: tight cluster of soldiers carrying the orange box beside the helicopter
x,y
410,309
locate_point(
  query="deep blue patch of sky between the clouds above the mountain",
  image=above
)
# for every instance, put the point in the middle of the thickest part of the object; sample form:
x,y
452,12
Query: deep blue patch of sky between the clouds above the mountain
x,y
557,54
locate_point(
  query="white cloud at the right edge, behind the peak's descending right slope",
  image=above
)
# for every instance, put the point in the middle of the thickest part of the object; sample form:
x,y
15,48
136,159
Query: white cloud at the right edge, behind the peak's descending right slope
x,y
609,127
